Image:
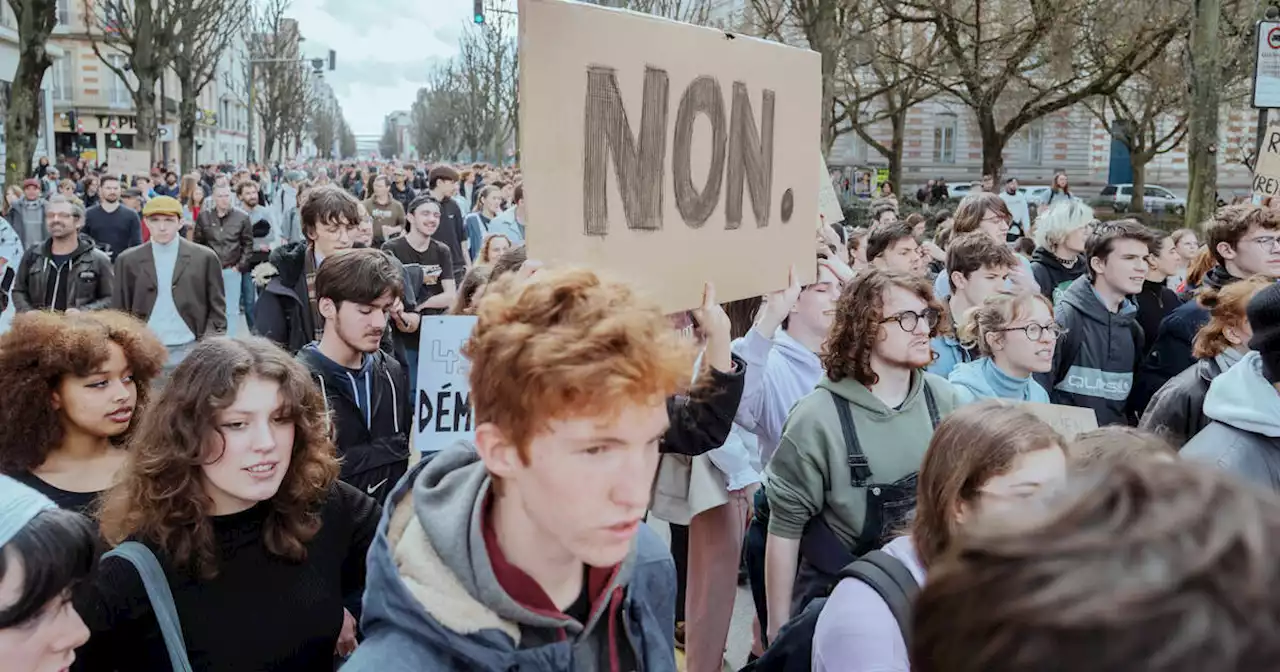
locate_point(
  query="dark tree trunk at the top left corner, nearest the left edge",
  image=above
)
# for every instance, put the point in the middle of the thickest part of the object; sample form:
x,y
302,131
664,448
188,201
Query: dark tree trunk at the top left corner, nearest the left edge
x,y
36,22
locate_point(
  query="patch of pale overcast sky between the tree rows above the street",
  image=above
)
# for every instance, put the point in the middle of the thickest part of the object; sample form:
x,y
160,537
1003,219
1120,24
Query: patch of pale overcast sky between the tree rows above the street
x,y
385,48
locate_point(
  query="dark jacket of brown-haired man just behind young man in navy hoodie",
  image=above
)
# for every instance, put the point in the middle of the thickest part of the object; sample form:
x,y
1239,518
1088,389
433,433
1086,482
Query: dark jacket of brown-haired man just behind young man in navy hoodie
x,y
284,310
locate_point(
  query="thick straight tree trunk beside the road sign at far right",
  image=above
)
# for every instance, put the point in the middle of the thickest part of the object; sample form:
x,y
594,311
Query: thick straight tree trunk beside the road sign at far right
x,y
1203,113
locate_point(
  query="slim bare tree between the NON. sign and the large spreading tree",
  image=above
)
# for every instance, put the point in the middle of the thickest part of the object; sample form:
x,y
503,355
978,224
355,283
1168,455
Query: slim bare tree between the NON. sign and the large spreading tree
x,y
875,86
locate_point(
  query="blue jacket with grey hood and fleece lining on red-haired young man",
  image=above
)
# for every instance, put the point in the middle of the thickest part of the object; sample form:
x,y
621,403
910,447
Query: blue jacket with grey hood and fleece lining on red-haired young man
x,y
432,601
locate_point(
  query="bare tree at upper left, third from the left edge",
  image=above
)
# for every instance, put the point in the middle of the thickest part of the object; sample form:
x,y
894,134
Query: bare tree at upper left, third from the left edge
x,y
207,30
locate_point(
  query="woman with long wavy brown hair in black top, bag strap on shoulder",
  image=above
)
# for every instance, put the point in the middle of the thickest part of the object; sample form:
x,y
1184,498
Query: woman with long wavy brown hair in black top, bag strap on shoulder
x,y
232,483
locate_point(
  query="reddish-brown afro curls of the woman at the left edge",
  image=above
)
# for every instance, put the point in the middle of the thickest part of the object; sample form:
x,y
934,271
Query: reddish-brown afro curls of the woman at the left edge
x,y
44,348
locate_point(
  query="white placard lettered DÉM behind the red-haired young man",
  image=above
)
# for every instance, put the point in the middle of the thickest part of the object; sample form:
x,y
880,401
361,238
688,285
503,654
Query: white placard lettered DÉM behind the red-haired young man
x,y
442,403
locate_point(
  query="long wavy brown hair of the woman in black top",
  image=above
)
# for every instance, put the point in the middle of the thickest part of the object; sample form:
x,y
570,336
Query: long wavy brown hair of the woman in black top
x,y
161,497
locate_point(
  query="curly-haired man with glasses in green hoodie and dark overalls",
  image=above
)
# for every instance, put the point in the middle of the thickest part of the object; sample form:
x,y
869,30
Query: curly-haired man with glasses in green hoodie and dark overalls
x,y
844,474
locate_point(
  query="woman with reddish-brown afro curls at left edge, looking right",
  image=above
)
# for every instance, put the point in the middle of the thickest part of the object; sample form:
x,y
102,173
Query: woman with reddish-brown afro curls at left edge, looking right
x,y
76,383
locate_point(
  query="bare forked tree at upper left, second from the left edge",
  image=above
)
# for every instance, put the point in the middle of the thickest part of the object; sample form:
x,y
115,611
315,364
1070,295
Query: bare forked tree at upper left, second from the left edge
x,y
141,34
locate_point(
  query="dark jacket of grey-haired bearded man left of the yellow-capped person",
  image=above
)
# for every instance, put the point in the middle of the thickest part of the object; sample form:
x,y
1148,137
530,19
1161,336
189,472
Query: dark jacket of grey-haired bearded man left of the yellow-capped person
x,y
89,281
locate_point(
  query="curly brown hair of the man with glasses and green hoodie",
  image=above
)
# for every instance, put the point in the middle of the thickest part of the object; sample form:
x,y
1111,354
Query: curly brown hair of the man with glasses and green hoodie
x,y
860,310
